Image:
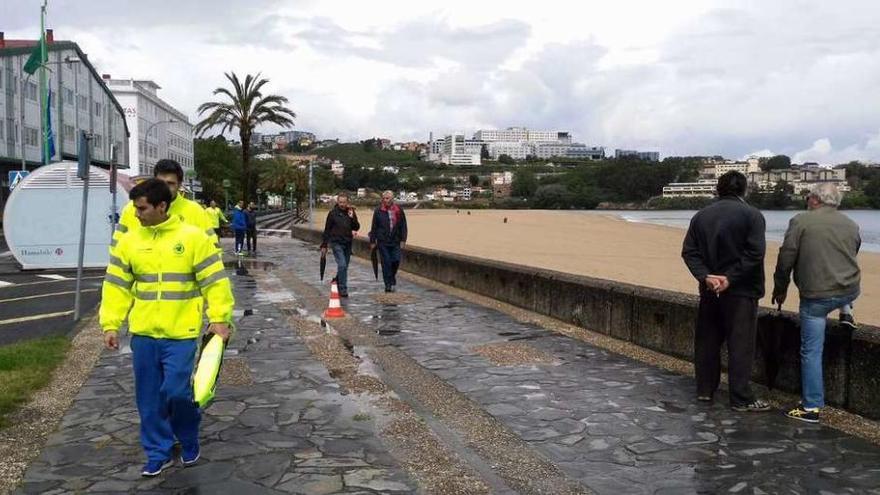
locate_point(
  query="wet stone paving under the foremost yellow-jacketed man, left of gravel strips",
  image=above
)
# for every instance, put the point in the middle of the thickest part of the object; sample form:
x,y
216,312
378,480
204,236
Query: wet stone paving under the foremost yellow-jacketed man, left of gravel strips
x,y
283,428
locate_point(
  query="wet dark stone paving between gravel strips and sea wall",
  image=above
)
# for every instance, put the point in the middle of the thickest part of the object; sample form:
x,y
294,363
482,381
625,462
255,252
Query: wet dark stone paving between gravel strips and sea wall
x,y
616,425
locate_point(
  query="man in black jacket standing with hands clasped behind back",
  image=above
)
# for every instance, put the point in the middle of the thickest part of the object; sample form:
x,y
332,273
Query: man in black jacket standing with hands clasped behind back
x,y
724,250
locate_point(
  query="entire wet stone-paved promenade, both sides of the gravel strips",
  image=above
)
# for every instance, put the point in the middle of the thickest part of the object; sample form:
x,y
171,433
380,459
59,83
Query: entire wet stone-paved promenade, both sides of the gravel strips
x,y
607,423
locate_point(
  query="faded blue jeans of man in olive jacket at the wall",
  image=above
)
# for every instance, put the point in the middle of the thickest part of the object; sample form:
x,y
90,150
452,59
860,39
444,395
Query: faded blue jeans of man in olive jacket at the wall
x,y
813,313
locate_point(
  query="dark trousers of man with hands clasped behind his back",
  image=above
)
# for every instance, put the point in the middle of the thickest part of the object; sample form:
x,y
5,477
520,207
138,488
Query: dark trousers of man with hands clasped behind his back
x,y
726,318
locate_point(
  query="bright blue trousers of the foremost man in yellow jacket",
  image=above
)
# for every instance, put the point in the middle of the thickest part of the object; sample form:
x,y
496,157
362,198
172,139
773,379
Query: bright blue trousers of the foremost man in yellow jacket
x,y
163,391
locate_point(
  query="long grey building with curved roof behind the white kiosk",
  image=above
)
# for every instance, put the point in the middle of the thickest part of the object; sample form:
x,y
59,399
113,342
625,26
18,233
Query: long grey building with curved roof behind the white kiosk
x,y
79,101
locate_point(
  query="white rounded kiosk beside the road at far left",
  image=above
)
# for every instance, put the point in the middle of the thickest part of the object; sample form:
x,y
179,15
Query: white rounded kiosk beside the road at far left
x,y
42,217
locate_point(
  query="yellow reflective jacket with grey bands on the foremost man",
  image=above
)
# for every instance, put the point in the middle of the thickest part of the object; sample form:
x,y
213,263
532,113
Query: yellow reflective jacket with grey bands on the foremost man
x,y
164,275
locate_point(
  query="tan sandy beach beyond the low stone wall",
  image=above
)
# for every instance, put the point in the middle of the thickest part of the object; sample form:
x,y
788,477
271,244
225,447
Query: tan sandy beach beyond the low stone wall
x,y
597,246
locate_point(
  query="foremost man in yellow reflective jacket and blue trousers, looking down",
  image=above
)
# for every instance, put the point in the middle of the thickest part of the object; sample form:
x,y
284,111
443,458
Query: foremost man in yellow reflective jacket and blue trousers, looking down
x,y
160,277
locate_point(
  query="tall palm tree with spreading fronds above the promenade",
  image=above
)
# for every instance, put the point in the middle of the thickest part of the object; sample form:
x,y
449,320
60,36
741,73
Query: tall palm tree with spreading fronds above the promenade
x,y
244,108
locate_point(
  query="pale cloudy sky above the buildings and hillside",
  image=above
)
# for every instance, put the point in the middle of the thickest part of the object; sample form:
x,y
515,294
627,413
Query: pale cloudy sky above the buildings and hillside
x,y
800,77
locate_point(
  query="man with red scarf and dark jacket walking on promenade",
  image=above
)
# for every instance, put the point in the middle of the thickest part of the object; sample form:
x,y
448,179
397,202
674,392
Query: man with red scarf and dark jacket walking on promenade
x,y
388,235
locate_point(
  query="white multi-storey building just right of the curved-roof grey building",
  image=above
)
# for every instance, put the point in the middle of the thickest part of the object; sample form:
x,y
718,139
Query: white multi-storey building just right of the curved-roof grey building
x,y
158,130
